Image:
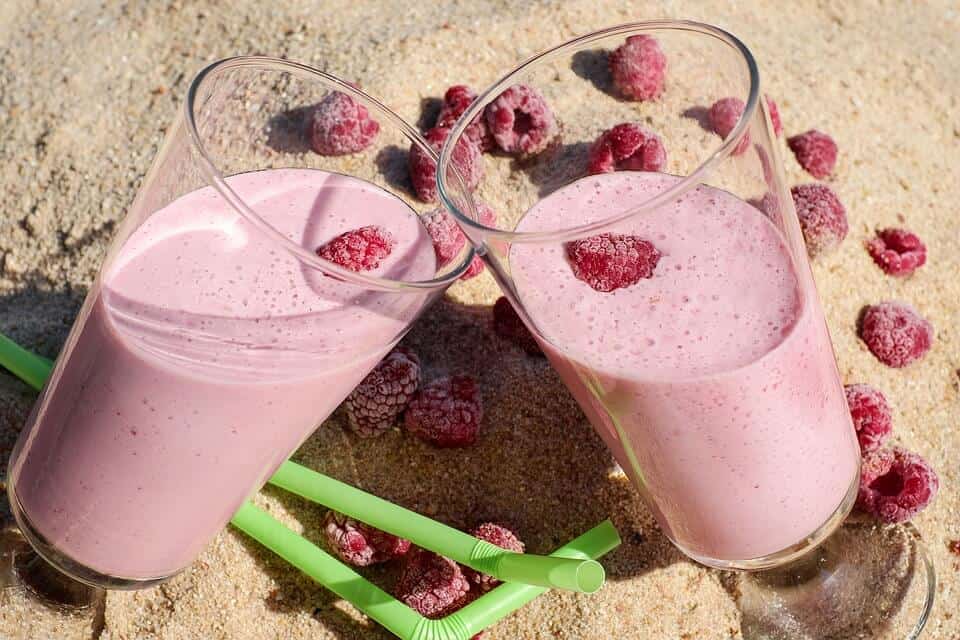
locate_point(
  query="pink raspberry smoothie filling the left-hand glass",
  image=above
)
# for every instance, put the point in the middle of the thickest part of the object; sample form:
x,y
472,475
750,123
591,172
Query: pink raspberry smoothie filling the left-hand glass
x,y
207,355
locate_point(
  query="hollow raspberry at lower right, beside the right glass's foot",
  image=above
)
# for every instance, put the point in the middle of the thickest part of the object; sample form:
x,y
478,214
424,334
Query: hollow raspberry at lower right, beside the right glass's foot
x,y
896,484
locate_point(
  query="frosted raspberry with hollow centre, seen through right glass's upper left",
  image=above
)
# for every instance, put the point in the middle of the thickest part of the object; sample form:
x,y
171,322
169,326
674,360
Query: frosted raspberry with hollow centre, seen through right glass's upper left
x,y
520,121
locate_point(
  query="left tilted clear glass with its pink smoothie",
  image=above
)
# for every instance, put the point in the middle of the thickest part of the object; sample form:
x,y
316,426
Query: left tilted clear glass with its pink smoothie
x,y
216,339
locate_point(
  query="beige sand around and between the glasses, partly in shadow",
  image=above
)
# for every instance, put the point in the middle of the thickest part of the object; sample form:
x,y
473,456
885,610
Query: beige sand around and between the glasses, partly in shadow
x,y
86,93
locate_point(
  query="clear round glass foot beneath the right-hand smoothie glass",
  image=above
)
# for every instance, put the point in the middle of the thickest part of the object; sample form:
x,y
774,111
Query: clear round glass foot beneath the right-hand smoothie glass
x,y
866,581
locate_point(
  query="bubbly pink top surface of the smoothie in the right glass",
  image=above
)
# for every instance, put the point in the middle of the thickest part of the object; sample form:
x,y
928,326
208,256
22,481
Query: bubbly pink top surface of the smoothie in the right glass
x,y
703,311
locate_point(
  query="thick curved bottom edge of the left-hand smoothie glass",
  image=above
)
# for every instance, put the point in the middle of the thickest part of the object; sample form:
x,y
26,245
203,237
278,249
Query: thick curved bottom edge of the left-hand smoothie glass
x,y
61,563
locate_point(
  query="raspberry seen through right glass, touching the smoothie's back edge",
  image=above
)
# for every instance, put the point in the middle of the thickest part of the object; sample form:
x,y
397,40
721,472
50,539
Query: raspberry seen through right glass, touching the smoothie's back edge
x,y
627,147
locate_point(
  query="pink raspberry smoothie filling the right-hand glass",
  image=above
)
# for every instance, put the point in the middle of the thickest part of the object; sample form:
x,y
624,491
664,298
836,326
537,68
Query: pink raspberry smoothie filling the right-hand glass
x,y
713,382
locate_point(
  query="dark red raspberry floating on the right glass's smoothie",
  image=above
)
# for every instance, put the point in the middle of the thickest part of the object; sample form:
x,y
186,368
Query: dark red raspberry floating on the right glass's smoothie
x,y
611,261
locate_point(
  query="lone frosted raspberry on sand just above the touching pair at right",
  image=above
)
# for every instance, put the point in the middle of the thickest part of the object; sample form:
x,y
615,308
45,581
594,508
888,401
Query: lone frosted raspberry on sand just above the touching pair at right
x,y
896,333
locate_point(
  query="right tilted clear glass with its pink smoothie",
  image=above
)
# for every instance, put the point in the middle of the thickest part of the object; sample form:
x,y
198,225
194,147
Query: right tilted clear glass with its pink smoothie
x,y
670,288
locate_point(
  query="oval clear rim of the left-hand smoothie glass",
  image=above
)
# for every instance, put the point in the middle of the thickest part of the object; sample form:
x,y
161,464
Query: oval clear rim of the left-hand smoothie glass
x,y
218,181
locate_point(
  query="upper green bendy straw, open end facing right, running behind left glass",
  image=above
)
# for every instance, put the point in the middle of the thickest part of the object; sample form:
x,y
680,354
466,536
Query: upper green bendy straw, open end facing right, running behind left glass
x,y
584,574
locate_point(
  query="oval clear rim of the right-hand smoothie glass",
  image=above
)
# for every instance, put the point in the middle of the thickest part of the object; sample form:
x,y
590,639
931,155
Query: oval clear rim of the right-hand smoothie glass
x,y
691,180
